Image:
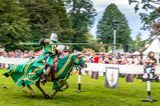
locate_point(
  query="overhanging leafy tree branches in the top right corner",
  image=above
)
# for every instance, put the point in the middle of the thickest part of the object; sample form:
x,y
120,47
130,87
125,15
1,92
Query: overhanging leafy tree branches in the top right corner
x,y
150,18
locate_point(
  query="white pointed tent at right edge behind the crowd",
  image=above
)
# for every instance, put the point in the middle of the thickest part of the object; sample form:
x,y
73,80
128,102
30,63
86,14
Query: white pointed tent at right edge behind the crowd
x,y
154,47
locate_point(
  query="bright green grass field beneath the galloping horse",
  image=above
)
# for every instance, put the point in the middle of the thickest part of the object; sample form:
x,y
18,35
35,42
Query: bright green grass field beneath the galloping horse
x,y
128,94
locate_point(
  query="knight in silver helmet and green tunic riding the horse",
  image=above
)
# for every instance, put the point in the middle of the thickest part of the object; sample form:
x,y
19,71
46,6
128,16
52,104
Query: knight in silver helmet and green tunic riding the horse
x,y
50,56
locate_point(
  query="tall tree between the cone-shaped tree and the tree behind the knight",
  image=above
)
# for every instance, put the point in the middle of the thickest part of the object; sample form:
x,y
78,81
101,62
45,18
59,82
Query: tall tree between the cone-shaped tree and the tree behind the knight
x,y
81,14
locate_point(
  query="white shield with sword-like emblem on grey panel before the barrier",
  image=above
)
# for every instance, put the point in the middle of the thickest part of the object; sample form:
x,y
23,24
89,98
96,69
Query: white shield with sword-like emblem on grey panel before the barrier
x,y
111,77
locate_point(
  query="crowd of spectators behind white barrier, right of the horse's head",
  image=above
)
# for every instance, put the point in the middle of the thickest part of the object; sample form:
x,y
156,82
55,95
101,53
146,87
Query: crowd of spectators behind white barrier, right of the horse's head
x,y
109,58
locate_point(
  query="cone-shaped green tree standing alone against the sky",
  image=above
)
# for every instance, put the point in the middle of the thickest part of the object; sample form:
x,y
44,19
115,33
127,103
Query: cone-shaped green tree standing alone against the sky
x,y
113,18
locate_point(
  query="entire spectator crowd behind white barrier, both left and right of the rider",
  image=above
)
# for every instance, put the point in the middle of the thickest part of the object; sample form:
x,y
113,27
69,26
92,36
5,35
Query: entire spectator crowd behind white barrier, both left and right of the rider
x,y
90,56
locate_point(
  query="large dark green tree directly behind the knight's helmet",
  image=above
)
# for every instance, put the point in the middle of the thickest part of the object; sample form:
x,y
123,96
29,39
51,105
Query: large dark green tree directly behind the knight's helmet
x,y
47,16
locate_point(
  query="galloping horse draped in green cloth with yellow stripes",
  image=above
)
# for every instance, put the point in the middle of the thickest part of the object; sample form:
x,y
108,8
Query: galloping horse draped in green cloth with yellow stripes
x,y
31,73
